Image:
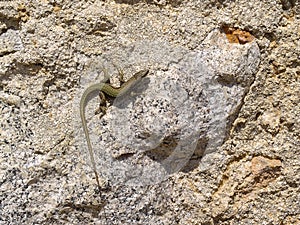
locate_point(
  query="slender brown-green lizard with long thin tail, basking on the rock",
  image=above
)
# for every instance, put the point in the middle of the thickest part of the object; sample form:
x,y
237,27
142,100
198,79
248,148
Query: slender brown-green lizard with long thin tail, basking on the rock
x,y
104,88
